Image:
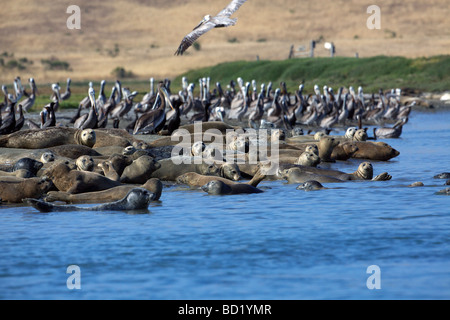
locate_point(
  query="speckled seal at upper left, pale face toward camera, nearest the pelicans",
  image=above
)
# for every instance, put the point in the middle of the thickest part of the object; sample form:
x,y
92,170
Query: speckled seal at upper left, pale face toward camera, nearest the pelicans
x,y
48,137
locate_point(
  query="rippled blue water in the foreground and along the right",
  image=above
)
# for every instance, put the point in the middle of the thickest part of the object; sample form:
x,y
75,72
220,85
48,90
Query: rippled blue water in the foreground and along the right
x,y
281,244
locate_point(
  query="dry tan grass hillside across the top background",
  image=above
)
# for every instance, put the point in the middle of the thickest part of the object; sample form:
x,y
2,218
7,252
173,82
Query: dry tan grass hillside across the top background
x,y
142,35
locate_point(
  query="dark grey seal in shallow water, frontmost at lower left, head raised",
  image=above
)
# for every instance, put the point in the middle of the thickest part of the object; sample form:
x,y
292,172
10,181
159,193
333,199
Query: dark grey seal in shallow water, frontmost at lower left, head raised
x,y
136,199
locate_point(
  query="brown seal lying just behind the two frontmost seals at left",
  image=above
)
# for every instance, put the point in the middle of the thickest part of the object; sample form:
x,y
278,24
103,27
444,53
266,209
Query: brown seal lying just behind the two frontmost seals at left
x,y
65,178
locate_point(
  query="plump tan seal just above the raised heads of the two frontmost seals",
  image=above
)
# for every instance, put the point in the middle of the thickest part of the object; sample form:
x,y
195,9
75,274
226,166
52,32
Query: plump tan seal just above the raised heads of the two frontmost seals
x,y
140,170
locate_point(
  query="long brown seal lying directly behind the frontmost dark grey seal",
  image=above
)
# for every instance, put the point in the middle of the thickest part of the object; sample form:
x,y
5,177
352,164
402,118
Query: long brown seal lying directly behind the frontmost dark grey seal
x,y
153,185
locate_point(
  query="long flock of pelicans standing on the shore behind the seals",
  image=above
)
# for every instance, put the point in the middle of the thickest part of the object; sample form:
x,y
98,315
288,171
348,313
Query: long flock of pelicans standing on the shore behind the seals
x,y
161,112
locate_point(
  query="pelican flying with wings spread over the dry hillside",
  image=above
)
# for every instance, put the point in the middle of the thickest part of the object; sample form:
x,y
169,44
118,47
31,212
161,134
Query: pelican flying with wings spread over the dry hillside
x,y
222,19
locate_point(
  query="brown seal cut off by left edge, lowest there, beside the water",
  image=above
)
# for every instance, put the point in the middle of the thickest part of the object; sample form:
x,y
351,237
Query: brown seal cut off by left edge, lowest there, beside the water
x,y
14,190
